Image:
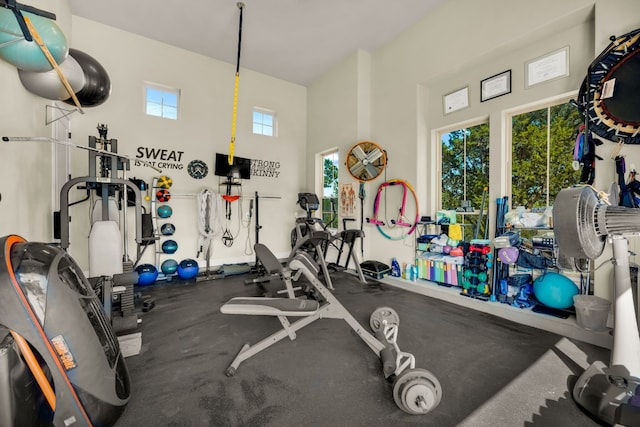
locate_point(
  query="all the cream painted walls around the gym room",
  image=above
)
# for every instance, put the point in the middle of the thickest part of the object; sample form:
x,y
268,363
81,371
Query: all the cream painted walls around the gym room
x,y
391,96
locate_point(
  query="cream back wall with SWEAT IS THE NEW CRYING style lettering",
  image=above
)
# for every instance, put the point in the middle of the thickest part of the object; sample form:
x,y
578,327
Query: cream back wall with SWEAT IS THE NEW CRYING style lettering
x,y
204,128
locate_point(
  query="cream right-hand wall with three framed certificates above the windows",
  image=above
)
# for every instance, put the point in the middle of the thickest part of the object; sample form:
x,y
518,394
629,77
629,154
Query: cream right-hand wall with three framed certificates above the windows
x,y
448,50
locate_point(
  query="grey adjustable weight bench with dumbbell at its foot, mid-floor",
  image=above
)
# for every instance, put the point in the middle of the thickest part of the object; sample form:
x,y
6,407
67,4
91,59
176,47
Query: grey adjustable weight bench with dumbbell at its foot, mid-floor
x,y
415,391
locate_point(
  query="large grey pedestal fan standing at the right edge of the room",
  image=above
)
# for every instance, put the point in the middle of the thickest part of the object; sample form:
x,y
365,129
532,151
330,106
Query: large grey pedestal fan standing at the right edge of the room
x,y
583,224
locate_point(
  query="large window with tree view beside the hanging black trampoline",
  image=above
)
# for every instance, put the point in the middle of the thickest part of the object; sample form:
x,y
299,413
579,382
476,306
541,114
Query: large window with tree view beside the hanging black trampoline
x,y
542,142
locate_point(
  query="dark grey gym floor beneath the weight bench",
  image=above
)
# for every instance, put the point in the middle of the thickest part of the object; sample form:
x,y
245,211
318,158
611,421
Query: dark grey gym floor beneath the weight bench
x,y
493,372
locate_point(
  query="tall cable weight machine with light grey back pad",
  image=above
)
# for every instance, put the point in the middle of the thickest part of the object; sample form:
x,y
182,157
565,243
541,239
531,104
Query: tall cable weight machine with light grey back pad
x,y
110,268
